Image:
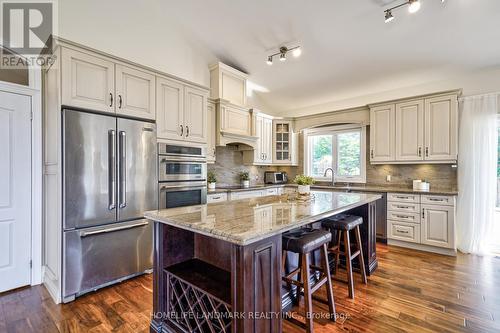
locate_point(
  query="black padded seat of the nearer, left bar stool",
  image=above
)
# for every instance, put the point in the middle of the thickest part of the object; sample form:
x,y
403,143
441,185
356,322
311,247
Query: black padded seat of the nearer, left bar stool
x,y
305,240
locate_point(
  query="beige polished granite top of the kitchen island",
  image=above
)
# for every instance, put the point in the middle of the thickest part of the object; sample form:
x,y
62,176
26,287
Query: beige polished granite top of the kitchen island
x,y
246,221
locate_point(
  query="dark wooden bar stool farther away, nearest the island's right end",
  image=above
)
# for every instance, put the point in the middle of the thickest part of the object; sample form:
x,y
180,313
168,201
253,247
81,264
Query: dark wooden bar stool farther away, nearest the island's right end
x,y
342,224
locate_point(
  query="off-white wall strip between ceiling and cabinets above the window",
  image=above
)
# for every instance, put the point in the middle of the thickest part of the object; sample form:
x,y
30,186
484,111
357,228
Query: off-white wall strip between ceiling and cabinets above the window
x,y
474,83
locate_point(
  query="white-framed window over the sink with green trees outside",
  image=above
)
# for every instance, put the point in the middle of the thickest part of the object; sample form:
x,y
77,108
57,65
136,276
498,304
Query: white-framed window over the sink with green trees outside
x,y
342,148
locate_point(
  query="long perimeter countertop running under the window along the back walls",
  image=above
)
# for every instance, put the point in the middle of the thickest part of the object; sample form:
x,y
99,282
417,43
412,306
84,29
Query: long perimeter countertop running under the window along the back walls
x,y
357,188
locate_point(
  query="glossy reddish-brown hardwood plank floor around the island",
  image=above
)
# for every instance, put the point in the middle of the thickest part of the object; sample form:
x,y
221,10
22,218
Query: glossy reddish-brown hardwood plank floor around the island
x,y
411,291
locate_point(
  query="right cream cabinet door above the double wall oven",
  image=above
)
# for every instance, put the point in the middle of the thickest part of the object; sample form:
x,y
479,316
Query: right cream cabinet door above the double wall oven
x,y
195,114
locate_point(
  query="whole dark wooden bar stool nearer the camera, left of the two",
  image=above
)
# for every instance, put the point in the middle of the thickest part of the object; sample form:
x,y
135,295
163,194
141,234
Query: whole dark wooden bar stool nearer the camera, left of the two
x,y
303,242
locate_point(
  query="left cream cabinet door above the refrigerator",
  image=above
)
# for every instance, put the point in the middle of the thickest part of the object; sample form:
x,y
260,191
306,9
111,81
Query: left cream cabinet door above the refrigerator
x,y
87,81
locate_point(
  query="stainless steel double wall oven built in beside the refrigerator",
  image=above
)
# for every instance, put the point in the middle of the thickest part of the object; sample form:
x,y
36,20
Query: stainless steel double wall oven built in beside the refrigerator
x,y
182,175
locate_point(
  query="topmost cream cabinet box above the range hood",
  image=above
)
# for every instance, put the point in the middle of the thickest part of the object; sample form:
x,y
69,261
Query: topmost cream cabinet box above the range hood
x,y
228,83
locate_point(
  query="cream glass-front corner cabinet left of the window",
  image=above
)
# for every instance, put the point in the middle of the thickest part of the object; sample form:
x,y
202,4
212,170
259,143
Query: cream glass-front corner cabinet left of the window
x,y
285,143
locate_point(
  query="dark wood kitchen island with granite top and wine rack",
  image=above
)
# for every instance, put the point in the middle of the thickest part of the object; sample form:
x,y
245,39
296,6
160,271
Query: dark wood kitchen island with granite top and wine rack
x,y
217,267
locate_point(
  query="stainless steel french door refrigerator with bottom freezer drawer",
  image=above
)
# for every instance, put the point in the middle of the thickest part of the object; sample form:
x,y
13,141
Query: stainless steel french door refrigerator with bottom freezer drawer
x,y
109,180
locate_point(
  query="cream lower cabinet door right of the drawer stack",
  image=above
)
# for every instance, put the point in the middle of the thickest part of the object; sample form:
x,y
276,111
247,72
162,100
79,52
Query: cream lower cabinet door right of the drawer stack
x,y
438,226
